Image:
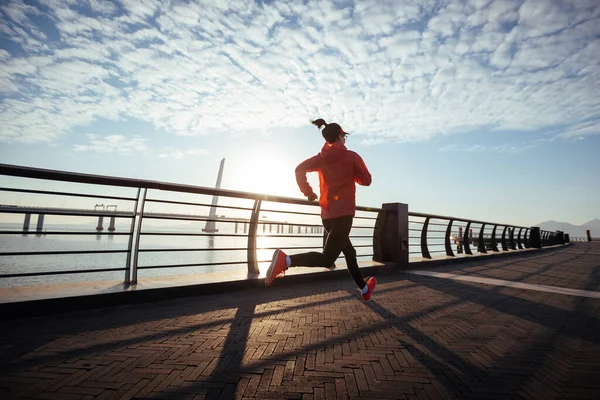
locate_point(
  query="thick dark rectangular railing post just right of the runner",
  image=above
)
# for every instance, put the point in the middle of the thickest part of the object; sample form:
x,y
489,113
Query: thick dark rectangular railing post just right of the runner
x,y
390,239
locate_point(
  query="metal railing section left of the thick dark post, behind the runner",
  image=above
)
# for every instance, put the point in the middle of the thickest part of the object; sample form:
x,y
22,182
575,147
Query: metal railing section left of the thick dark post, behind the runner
x,y
139,217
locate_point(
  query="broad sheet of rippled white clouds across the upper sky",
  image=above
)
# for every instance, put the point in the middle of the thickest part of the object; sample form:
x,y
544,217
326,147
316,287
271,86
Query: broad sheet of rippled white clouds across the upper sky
x,y
389,71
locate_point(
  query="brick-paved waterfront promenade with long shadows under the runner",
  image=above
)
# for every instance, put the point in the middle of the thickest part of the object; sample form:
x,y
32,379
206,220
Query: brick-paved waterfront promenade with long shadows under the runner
x,y
523,326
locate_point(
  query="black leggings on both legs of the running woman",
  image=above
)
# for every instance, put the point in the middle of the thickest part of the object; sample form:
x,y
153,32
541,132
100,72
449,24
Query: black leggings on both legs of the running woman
x,y
338,241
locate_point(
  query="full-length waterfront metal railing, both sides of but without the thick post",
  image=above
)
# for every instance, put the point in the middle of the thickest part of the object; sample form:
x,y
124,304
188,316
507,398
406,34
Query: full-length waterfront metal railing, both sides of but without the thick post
x,y
429,235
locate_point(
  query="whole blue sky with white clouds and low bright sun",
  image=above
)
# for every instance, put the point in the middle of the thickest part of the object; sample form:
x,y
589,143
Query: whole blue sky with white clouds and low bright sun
x,y
485,110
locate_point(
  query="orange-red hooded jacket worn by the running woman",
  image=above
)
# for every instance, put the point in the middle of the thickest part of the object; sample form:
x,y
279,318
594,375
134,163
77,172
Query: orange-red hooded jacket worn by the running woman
x,y
339,169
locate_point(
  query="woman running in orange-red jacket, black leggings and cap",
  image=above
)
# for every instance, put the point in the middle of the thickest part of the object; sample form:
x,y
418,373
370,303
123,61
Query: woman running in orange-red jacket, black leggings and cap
x,y
339,169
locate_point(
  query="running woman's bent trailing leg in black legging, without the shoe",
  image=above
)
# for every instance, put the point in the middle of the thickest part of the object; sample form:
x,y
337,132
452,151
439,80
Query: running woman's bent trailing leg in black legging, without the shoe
x,y
339,229
